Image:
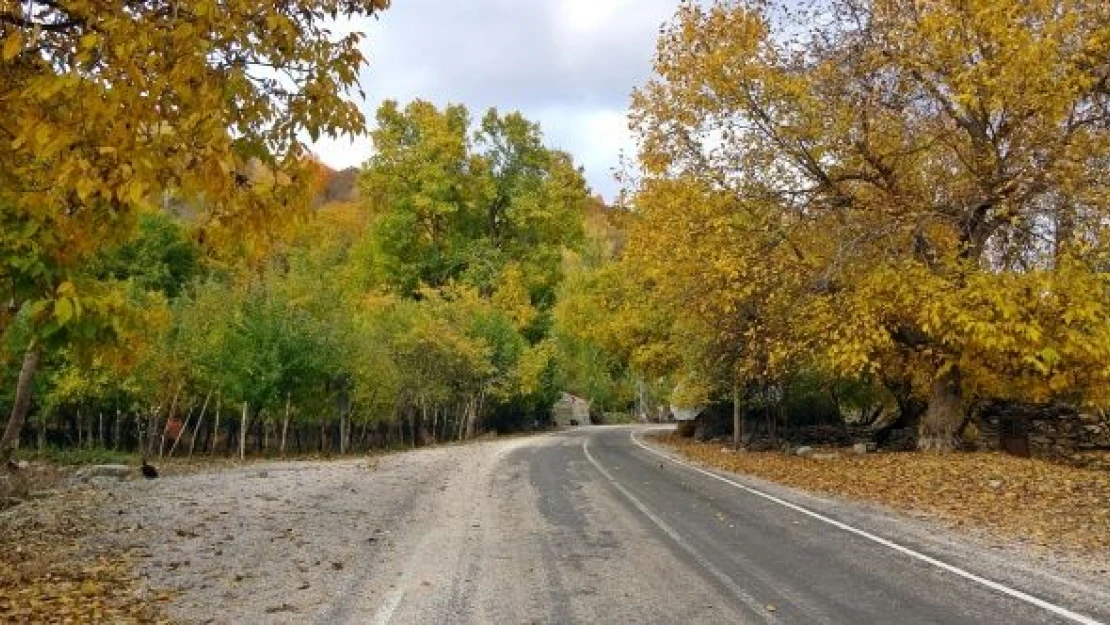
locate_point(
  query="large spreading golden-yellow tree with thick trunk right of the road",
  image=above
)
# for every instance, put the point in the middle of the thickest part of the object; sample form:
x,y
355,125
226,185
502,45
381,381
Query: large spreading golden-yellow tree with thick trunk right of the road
x,y
912,190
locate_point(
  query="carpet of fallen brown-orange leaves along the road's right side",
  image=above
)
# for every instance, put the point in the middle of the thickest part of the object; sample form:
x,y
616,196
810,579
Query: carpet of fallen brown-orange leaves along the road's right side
x,y
1044,503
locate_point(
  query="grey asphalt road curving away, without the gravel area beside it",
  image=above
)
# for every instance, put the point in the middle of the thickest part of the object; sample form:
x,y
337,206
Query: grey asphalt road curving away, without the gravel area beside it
x,y
592,527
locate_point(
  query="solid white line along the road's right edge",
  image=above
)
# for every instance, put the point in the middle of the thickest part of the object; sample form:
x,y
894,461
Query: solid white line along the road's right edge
x,y
917,556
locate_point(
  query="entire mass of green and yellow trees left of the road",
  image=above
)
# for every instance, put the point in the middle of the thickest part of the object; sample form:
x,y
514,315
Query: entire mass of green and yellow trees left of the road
x,y
236,297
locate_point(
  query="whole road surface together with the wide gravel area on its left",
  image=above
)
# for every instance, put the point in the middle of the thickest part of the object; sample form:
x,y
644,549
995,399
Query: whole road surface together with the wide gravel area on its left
x,y
593,526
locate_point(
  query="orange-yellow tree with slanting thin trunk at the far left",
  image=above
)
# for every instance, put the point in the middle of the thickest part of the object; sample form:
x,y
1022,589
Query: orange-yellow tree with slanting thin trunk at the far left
x,y
112,108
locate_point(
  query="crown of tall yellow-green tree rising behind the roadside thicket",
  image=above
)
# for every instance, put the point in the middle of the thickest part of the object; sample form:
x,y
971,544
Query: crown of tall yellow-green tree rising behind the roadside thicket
x,y
453,203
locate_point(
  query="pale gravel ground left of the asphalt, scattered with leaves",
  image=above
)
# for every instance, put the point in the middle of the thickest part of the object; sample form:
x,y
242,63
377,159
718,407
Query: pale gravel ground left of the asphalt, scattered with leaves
x,y
280,543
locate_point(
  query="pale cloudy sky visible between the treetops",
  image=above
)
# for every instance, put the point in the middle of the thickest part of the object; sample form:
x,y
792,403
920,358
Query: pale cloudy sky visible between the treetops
x,y
570,65
